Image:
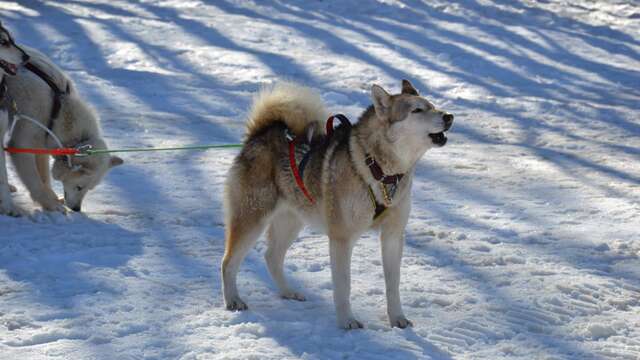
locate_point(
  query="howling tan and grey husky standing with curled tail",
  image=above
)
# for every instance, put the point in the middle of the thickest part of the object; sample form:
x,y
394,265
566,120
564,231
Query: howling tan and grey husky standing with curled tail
x,y
351,177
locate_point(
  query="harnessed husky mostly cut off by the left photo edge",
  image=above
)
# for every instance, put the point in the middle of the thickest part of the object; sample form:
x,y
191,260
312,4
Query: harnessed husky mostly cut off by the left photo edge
x,y
11,57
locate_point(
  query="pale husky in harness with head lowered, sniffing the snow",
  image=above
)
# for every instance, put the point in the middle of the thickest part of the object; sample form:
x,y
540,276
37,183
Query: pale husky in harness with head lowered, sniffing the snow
x,y
44,92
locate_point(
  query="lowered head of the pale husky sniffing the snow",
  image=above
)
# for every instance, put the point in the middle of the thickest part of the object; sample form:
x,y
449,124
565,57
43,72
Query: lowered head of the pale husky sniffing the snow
x,y
84,174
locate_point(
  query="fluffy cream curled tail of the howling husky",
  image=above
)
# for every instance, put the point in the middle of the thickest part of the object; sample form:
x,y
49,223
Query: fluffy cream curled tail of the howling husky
x,y
295,105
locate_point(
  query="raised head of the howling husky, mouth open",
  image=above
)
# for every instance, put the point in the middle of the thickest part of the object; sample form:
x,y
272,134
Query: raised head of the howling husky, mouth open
x,y
412,122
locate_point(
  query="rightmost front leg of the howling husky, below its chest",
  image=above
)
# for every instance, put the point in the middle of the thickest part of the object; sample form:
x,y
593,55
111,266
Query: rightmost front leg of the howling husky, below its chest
x,y
392,243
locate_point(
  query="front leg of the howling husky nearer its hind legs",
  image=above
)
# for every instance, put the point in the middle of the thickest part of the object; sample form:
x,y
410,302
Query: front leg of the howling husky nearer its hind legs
x,y
340,252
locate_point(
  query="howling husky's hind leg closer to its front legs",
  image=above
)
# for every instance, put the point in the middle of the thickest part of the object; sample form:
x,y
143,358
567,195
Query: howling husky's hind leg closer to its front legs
x,y
282,232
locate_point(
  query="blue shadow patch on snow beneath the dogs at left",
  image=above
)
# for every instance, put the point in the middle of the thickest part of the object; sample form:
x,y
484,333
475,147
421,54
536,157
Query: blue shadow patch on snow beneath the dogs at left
x,y
58,259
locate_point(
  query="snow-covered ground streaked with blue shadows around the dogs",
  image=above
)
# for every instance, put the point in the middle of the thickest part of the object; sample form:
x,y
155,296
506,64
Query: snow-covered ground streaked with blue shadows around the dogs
x,y
524,241
